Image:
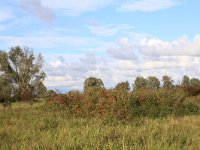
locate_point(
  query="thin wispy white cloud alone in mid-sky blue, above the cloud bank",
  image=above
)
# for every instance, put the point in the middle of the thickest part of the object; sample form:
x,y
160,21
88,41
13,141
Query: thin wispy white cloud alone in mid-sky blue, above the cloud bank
x,y
108,30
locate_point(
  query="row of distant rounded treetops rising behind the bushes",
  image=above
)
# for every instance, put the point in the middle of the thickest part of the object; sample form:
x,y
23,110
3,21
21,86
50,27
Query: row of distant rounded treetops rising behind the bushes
x,y
190,86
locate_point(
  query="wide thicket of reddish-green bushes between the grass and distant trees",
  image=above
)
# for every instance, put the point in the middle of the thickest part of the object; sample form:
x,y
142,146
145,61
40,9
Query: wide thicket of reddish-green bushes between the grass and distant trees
x,y
122,103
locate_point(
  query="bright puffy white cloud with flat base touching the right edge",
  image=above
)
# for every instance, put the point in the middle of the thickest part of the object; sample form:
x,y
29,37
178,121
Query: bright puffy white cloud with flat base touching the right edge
x,y
181,46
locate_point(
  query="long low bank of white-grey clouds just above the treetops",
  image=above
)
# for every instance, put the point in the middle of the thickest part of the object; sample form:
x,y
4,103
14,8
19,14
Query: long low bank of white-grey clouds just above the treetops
x,y
126,59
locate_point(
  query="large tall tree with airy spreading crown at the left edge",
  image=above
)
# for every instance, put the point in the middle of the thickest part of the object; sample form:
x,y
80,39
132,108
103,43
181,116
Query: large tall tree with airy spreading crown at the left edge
x,y
22,71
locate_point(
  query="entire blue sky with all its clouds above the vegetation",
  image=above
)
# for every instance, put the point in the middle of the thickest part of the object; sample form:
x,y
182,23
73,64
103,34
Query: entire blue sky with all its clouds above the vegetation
x,y
114,40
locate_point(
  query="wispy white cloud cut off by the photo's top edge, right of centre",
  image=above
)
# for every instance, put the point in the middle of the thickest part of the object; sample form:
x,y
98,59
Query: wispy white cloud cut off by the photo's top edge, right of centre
x,y
147,5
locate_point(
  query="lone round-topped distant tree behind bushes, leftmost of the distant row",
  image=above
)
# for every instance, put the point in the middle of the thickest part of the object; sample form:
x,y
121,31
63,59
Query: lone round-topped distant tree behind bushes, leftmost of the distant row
x,y
93,82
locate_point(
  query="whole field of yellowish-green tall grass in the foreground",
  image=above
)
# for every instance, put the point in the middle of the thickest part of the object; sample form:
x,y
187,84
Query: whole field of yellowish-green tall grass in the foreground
x,y
32,127
